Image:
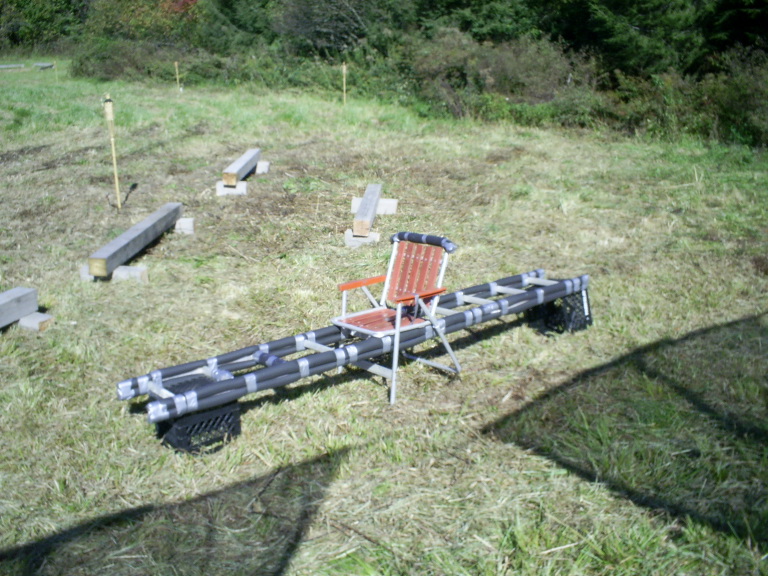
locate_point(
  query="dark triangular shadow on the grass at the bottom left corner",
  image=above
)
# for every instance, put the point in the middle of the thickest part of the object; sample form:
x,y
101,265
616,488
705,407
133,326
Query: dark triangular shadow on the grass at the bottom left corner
x,y
250,528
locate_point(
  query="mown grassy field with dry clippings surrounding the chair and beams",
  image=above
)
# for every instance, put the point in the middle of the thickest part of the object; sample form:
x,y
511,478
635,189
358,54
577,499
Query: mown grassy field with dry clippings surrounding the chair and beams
x,y
639,446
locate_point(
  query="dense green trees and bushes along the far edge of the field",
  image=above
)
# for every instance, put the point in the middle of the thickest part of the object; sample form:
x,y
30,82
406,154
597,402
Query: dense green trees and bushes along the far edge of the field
x,y
665,67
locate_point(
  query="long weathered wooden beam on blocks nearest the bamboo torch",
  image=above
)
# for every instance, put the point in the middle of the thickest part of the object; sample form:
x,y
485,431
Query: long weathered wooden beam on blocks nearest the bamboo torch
x,y
104,261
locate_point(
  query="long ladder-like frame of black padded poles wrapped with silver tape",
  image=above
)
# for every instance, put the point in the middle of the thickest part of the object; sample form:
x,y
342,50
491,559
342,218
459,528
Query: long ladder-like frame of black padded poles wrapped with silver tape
x,y
281,372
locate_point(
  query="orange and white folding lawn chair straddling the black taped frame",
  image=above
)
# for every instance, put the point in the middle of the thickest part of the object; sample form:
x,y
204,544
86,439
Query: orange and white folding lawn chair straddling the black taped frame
x,y
409,299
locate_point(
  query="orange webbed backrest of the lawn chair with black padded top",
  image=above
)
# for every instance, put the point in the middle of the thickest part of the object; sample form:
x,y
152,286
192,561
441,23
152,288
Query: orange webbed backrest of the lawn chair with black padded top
x,y
417,264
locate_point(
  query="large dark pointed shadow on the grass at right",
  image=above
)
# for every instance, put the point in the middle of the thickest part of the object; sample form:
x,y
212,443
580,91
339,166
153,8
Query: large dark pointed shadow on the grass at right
x,y
679,426
